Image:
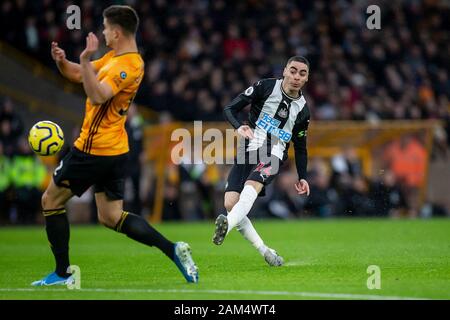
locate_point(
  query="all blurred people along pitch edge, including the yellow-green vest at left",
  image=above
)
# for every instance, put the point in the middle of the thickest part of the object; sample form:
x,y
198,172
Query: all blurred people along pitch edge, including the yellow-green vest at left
x,y
338,184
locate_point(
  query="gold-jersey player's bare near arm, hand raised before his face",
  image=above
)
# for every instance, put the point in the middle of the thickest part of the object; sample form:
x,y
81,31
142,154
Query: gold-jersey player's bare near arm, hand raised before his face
x,y
97,92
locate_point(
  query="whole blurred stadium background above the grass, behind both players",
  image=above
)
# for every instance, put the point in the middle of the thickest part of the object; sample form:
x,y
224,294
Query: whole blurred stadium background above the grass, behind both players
x,y
379,99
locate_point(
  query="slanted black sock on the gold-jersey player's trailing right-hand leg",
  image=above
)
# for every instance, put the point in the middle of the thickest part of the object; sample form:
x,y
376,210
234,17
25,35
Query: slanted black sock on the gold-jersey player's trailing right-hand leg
x,y
136,228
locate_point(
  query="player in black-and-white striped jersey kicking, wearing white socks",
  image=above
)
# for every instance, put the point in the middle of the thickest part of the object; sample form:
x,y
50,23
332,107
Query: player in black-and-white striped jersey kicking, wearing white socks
x,y
278,115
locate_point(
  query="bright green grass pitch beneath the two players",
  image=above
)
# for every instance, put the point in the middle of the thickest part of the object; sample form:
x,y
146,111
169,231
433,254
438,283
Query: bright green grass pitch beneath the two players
x,y
325,259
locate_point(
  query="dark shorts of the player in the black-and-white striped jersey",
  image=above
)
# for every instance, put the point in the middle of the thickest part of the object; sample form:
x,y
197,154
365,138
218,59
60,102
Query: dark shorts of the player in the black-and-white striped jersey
x,y
263,172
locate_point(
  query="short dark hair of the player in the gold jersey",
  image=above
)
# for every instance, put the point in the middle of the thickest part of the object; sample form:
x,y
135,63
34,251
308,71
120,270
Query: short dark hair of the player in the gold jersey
x,y
123,16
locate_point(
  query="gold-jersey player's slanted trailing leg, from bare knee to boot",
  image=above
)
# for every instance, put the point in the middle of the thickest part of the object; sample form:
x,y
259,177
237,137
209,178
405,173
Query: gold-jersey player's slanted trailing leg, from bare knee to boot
x,y
111,214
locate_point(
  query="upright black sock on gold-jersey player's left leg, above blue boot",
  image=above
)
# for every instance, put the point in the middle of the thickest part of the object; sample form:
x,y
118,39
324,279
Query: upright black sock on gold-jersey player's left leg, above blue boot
x,y
58,234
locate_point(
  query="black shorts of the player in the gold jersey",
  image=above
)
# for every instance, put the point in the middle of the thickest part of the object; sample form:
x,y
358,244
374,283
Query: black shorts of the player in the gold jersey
x,y
78,171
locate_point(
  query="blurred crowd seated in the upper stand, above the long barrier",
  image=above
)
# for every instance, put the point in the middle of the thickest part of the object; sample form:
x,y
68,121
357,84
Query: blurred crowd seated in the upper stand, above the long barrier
x,y
200,53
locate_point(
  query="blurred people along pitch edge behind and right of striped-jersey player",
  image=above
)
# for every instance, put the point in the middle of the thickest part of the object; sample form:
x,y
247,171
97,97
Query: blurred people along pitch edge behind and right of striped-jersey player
x,y
339,187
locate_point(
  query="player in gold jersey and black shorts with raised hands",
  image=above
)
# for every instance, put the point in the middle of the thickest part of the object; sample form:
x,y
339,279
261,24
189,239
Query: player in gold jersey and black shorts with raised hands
x,y
99,154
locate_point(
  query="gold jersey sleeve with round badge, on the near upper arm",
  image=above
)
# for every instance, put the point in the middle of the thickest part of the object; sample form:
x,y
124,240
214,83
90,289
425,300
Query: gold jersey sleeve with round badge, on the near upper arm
x,y
121,75
